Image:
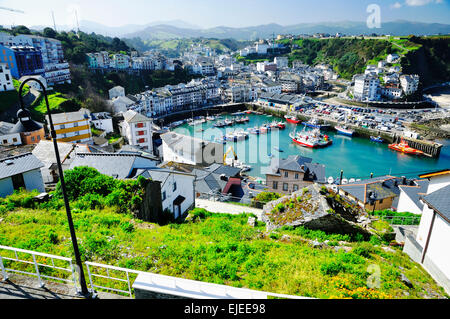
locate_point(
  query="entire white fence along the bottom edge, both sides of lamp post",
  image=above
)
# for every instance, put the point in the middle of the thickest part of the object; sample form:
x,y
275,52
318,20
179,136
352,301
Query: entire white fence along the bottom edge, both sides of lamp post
x,y
124,277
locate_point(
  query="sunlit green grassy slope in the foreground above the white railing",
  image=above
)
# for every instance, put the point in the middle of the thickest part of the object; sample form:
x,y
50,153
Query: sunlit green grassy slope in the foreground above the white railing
x,y
220,249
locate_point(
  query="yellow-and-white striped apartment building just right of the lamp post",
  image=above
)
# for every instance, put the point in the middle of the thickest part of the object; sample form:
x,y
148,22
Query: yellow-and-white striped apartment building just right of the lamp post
x,y
73,127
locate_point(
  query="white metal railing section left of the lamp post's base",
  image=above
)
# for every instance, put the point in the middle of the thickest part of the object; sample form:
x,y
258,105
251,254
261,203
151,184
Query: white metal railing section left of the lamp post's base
x,y
70,269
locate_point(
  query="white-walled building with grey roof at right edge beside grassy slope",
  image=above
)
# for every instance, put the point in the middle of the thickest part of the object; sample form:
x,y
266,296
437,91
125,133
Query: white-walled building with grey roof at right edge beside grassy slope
x,y
430,246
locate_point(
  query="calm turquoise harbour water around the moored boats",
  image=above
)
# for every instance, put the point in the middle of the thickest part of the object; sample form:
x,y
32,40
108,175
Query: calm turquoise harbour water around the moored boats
x,y
358,157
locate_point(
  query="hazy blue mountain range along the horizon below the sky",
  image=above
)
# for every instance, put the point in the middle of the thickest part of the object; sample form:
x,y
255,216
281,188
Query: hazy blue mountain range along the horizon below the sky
x,y
179,29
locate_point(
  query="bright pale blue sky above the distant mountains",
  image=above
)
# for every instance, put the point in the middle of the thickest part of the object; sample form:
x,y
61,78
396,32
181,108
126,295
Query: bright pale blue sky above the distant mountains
x,y
211,13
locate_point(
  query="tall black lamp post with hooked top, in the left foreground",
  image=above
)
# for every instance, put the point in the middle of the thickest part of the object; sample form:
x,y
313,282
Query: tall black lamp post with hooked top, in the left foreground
x,y
84,291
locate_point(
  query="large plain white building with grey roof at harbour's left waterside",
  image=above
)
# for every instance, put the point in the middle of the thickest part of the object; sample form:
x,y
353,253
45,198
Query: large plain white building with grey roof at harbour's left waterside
x,y
189,150
